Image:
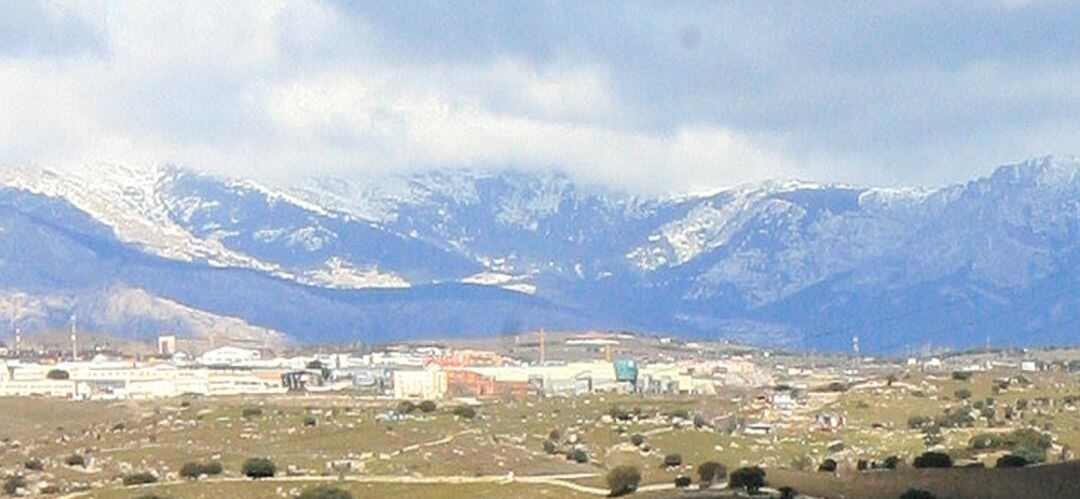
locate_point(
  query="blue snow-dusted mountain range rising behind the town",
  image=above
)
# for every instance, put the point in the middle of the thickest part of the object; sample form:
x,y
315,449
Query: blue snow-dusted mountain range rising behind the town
x,y
462,252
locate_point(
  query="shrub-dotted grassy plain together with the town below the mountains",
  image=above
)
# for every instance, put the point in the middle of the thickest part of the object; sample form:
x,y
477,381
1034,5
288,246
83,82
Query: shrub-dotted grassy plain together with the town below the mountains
x,y
562,413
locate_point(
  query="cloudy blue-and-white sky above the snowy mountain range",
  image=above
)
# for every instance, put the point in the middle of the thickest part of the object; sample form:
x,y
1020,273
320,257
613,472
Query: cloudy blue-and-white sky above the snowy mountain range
x,y
642,97
